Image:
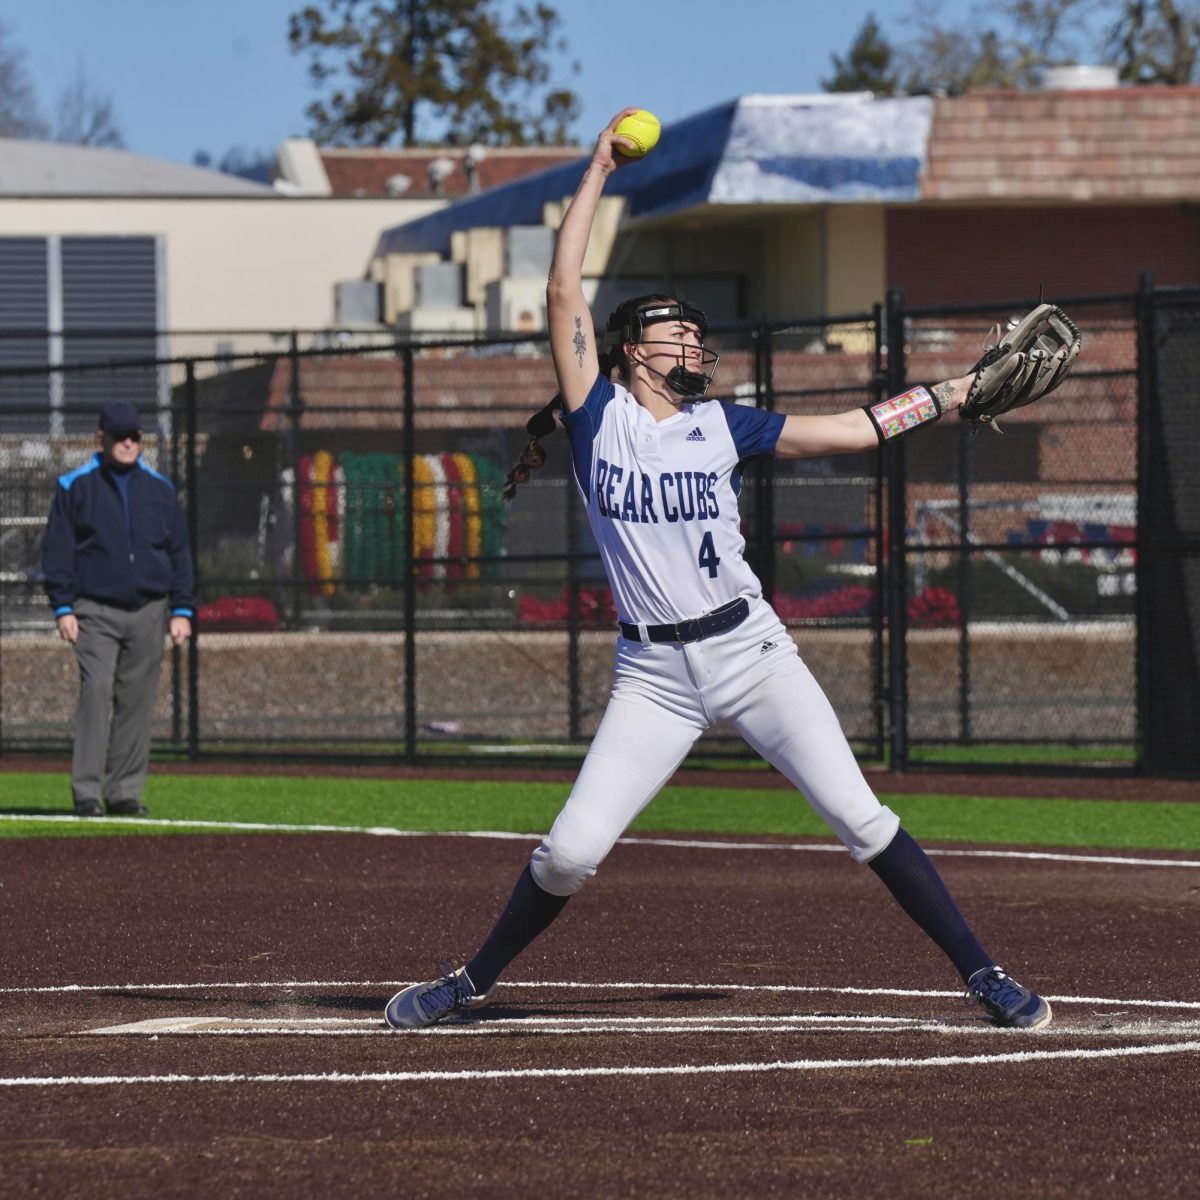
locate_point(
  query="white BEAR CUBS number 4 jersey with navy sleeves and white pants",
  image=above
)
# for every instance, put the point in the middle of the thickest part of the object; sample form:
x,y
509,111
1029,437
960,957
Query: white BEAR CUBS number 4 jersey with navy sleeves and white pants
x,y
662,501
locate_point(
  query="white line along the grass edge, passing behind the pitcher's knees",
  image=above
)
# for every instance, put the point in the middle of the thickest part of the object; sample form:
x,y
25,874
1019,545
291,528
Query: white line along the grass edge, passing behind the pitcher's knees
x,y
676,843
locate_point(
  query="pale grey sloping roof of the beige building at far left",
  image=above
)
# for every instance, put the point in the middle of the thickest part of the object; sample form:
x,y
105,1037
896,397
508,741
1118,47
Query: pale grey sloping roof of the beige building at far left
x,y
55,169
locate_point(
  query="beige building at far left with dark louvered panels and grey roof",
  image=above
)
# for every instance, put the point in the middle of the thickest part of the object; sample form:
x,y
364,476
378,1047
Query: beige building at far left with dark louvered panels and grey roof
x,y
94,239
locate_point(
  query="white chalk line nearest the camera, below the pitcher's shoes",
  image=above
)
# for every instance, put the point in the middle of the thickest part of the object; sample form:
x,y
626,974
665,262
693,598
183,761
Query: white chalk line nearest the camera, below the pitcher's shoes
x,y
734,1069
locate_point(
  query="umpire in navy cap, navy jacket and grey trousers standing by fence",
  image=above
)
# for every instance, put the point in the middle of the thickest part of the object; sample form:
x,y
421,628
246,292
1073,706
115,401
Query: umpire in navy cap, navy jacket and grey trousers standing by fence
x,y
115,560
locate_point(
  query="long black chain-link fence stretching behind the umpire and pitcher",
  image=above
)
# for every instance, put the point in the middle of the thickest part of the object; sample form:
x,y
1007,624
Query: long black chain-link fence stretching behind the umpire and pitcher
x,y
367,592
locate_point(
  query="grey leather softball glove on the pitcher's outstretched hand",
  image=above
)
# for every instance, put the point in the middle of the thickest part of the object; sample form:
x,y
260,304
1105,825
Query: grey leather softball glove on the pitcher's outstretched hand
x,y
1030,359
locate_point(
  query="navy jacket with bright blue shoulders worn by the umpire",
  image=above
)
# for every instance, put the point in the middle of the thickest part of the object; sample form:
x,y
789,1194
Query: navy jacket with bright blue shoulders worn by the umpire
x,y
93,550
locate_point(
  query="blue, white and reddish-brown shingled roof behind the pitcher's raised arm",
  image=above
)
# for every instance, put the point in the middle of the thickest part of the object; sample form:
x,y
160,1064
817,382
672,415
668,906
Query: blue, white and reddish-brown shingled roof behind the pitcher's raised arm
x,y
1067,147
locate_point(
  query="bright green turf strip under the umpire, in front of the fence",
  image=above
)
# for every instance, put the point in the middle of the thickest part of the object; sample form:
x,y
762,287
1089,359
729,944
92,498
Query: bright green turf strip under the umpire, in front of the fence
x,y
454,806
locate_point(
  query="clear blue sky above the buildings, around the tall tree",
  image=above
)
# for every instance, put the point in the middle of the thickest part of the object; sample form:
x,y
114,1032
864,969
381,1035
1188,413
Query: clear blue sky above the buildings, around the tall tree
x,y
218,74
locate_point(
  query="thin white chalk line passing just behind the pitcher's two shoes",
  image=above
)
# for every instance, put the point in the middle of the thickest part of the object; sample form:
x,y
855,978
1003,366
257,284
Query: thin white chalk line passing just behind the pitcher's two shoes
x,y
574,986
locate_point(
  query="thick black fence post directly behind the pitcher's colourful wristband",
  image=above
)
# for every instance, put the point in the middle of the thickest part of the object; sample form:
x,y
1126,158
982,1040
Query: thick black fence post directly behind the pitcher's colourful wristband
x,y
898,526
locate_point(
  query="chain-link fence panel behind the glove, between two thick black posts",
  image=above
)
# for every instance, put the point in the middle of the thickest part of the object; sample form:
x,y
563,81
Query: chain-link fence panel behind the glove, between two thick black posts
x,y
1022,557
